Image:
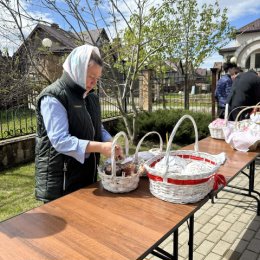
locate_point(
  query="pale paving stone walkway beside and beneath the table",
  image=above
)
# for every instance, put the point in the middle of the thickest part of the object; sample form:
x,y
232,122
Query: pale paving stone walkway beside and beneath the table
x,y
228,229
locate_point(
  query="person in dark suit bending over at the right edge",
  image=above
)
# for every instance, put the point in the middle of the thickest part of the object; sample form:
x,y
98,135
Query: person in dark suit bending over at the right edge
x,y
245,92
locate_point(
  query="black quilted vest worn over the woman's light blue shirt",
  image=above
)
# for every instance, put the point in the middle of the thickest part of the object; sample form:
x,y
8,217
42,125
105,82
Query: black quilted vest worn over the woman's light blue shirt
x,y
56,173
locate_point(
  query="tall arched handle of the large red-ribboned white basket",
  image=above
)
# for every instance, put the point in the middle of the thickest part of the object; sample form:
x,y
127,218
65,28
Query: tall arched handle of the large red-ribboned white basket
x,y
196,145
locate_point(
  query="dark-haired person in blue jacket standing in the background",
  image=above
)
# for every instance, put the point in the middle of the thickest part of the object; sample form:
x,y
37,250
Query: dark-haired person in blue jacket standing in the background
x,y
223,87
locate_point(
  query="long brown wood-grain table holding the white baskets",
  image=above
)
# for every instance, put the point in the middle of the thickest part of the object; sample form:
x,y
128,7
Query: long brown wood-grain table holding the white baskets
x,y
92,223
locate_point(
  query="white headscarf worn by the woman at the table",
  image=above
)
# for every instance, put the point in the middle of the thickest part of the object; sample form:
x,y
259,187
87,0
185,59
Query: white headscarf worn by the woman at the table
x,y
76,64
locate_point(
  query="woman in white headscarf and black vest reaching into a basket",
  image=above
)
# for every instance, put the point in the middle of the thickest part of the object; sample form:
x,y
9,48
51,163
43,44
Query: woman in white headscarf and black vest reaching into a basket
x,y
70,135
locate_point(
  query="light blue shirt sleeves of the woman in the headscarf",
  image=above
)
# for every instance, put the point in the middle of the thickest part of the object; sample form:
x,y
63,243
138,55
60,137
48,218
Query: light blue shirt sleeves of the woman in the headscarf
x,y
56,123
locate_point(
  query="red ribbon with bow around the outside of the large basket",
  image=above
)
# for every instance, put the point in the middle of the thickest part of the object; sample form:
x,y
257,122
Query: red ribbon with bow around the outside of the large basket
x,y
218,180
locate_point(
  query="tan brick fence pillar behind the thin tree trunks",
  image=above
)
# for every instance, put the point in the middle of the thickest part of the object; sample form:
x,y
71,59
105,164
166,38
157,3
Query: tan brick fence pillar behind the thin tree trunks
x,y
145,92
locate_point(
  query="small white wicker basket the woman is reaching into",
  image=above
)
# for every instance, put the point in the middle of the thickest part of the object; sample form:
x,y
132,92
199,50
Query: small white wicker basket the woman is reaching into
x,y
118,184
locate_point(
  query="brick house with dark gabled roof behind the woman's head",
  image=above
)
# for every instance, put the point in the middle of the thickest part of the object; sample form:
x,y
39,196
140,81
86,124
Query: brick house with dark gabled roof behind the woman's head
x,y
49,60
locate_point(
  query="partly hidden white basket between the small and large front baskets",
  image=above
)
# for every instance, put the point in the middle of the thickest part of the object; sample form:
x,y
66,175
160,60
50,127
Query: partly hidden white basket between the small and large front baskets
x,y
141,157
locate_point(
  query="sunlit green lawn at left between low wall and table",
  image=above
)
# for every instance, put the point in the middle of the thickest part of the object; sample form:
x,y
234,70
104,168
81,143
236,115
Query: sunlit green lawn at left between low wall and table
x,y
17,191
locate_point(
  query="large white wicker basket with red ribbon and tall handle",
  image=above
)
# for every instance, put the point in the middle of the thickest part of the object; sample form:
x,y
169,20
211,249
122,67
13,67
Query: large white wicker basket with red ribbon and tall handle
x,y
180,185
